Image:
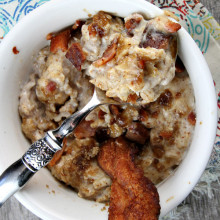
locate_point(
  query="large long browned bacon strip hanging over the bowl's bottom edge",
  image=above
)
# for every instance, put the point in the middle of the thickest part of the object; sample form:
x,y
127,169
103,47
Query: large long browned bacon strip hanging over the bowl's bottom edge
x,y
133,196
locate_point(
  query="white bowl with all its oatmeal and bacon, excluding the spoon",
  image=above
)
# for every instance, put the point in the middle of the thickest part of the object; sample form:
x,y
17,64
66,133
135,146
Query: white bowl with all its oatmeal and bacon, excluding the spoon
x,y
142,154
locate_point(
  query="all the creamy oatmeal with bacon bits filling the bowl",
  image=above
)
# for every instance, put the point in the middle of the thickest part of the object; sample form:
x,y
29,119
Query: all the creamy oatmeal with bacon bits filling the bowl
x,y
131,59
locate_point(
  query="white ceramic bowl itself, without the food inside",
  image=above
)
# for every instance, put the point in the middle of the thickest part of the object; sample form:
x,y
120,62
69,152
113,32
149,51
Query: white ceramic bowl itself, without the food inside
x,y
29,36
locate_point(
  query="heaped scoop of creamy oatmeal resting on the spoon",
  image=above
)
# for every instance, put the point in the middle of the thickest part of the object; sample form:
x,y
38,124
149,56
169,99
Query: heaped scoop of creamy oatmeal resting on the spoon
x,y
138,62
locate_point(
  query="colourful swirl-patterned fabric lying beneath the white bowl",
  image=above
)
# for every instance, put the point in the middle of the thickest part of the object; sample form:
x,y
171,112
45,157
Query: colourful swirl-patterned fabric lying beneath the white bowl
x,y
202,27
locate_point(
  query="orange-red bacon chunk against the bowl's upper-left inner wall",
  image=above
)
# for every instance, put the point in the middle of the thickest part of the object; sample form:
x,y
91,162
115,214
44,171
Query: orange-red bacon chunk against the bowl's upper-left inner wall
x,y
59,41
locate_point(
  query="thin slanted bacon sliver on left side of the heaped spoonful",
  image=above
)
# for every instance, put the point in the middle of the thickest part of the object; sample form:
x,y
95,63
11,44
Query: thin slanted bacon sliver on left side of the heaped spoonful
x,y
109,53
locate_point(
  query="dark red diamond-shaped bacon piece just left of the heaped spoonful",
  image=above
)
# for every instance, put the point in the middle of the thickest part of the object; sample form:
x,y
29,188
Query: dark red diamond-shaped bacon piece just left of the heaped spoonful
x,y
76,55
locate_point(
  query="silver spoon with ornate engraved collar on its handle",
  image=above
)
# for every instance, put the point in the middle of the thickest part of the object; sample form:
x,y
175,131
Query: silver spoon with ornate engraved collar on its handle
x,y
42,151
